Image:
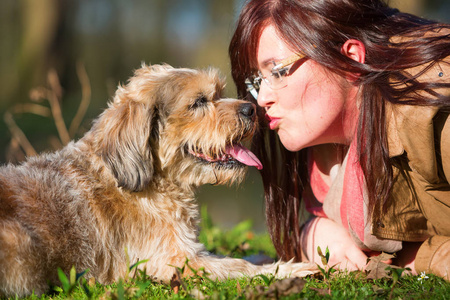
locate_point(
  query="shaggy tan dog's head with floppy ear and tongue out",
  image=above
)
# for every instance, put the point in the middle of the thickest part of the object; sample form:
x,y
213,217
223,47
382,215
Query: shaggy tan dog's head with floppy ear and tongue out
x,y
173,124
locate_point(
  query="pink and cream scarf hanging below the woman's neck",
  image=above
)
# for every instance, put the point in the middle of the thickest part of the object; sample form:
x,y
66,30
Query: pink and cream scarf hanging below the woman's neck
x,y
345,201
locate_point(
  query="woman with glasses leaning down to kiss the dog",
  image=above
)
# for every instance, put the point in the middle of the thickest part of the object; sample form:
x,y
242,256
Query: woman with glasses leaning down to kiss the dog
x,y
358,94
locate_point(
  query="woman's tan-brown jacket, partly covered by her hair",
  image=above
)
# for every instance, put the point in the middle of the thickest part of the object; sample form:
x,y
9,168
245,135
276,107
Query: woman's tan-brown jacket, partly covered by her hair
x,y
419,206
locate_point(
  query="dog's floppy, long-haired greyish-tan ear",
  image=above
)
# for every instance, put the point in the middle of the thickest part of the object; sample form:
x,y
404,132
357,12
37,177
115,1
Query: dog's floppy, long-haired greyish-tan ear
x,y
126,142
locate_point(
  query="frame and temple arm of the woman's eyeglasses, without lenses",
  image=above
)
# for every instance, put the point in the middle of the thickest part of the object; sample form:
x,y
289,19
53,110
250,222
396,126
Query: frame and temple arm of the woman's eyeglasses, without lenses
x,y
253,86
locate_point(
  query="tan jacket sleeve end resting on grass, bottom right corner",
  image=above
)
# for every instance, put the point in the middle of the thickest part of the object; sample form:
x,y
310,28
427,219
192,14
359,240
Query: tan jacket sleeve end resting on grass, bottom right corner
x,y
434,257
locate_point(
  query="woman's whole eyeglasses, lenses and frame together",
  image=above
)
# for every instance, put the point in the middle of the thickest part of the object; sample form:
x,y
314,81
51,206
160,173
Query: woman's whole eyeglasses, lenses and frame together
x,y
275,79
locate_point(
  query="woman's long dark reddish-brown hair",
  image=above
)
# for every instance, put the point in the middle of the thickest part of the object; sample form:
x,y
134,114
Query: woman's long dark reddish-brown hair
x,y
318,28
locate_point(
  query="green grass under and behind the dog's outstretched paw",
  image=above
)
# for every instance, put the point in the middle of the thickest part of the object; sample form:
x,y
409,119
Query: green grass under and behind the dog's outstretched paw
x,y
239,242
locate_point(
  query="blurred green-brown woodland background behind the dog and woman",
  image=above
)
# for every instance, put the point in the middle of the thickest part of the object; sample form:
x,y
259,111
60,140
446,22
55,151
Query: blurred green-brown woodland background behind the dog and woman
x,y
69,56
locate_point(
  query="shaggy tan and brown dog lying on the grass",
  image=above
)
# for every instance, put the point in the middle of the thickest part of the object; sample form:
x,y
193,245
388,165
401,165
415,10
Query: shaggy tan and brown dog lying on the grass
x,y
127,186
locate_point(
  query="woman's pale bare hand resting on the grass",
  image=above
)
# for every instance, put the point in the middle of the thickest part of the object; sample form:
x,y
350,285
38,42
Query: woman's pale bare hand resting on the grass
x,y
327,233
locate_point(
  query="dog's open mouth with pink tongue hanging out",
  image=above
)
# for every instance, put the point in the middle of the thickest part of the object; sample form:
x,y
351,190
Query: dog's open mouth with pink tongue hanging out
x,y
233,155
